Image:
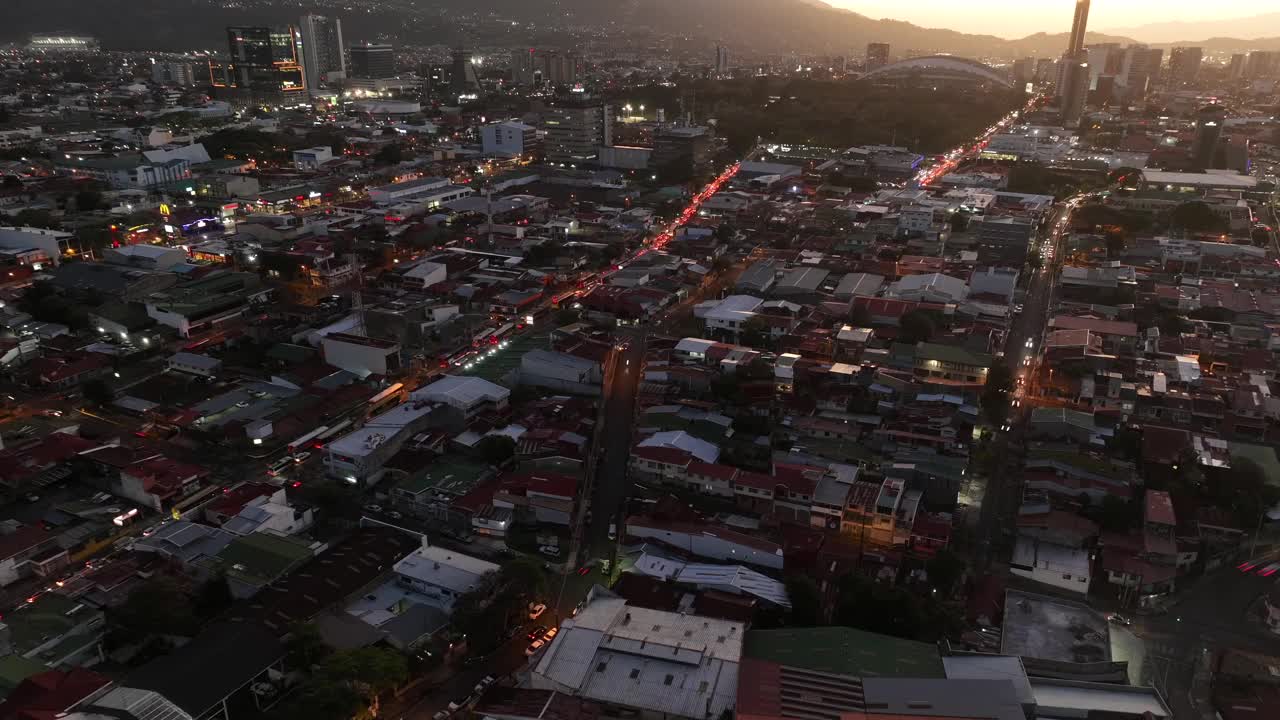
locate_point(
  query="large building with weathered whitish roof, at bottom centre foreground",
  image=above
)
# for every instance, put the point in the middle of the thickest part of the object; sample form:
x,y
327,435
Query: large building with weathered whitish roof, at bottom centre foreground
x,y
646,663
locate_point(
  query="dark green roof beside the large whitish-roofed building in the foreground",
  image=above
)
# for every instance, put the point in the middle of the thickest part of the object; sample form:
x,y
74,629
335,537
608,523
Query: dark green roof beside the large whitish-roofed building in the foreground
x,y
845,651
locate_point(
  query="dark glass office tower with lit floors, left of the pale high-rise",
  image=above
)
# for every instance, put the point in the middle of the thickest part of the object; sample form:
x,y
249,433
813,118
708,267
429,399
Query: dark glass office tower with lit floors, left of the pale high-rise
x,y
266,60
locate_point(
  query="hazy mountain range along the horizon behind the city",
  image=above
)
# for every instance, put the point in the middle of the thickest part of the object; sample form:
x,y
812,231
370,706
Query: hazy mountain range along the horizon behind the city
x,y
775,26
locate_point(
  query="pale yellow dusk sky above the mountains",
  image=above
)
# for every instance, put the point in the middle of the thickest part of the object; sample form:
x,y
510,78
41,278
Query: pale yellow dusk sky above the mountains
x,y
1020,19
